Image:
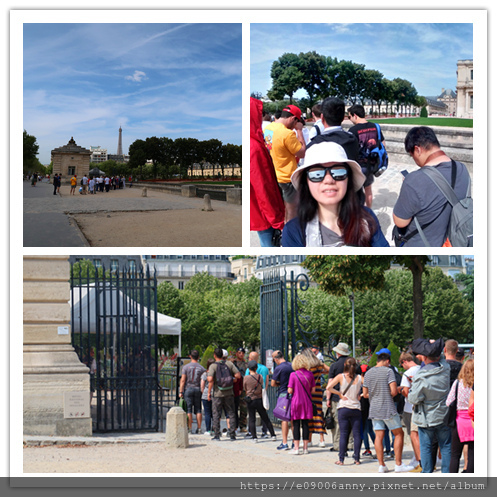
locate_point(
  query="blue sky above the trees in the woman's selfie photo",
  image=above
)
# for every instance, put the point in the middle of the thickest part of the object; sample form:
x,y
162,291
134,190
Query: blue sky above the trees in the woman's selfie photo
x,y
424,54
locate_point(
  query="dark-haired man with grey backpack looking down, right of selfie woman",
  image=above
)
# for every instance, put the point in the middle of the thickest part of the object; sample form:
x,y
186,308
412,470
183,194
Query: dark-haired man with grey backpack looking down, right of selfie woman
x,y
434,208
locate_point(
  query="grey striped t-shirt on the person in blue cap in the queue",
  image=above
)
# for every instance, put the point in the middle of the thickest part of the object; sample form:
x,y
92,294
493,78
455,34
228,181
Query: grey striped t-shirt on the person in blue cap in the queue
x,y
377,380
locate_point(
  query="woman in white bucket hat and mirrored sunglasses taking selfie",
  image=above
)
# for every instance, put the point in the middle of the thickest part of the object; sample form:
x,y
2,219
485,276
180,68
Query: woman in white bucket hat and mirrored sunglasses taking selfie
x,y
331,210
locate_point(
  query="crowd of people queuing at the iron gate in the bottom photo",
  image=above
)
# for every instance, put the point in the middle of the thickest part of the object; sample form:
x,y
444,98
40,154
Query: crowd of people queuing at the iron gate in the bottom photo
x,y
363,403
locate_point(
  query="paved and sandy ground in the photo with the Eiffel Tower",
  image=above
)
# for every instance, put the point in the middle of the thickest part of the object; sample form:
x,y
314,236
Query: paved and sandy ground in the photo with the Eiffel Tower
x,y
125,218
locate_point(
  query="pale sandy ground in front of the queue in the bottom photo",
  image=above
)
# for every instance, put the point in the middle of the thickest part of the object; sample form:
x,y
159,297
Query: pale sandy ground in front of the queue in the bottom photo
x,y
149,453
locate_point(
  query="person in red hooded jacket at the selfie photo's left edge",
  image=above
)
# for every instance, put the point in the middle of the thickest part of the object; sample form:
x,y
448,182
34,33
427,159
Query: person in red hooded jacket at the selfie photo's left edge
x,y
267,210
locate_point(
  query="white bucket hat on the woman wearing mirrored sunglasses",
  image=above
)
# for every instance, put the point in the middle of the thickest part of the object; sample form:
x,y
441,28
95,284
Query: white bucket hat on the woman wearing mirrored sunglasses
x,y
323,152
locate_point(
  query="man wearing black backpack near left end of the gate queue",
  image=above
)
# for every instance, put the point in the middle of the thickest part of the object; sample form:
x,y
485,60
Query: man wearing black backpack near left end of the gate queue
x,y
221,377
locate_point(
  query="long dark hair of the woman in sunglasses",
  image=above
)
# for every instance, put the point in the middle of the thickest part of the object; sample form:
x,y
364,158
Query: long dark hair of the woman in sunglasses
x,y
356,224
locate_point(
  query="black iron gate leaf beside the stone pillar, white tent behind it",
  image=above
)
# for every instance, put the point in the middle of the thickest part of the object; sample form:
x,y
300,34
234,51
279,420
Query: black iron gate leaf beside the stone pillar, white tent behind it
x,y
114,332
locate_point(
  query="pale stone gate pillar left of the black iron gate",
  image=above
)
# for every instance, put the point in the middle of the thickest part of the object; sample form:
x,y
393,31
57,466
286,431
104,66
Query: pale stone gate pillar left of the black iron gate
x,y
56,385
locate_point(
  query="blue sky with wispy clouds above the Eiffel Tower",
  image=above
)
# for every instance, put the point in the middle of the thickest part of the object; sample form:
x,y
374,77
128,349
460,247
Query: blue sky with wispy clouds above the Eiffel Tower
x,y
175,80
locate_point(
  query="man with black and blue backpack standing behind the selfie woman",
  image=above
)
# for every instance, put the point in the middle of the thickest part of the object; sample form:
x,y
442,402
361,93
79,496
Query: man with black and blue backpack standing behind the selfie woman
x,y
373,157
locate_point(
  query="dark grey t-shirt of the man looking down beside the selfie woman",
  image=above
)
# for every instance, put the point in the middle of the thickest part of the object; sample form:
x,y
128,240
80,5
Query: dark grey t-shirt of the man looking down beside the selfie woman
x,y
420,197
